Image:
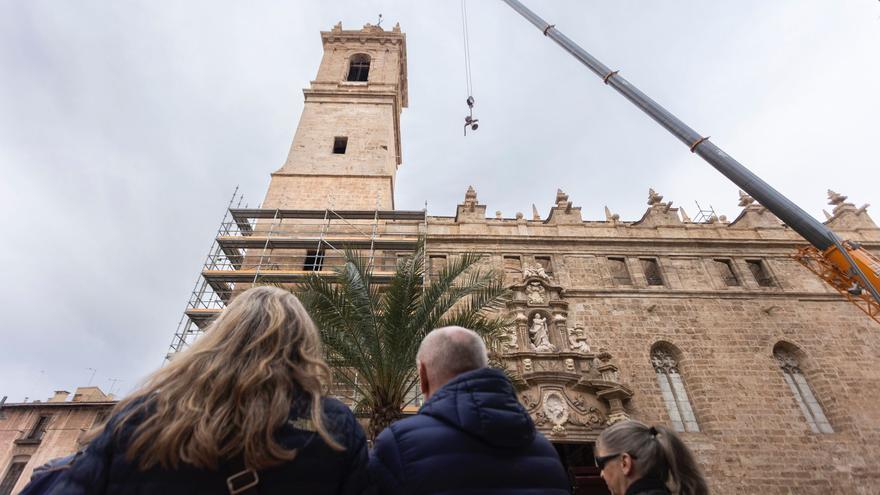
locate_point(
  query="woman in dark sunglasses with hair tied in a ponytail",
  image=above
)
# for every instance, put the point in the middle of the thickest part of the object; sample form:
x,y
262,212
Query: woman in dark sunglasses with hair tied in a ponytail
x,y
636,459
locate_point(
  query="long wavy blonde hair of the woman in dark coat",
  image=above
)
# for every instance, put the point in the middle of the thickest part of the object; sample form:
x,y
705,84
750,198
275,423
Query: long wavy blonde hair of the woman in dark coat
x,y
228,394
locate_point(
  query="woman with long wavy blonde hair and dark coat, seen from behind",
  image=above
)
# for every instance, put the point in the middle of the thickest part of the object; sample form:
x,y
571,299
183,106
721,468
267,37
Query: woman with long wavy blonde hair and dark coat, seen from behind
x,y
241,411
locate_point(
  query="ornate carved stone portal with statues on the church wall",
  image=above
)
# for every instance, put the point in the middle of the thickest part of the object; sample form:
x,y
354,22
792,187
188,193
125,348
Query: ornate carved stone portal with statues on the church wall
x,y
571,392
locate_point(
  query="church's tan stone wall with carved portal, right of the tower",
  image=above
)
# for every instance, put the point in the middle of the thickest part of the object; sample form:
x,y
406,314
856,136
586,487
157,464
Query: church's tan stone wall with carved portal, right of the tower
x,y
611,292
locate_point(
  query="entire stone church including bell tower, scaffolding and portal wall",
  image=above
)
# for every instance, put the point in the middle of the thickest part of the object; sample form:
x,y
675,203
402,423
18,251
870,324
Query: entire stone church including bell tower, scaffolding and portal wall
x,y
707,326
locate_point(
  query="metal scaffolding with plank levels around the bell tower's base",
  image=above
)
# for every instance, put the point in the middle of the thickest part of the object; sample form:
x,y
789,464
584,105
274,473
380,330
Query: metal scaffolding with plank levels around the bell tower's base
x,y
283,246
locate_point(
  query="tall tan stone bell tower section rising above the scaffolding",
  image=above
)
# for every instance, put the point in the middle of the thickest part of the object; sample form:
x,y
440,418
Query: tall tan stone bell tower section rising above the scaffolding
x,y
346,149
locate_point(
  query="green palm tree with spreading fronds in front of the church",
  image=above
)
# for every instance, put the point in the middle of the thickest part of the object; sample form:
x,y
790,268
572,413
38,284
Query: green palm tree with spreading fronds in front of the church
x,y
372,329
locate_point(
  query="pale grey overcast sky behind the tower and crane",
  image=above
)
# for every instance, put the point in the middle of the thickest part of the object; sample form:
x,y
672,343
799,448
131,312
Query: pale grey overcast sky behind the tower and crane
x,y
126,125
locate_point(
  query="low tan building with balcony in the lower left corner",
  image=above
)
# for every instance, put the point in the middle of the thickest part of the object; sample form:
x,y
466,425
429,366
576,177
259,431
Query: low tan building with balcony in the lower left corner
x,y
32,433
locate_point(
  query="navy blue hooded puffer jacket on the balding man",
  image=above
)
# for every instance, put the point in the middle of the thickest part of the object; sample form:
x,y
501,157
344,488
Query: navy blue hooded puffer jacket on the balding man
x,y
472,436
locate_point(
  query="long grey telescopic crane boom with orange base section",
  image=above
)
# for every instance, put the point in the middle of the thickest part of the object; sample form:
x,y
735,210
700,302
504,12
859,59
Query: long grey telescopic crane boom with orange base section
x,y
848,261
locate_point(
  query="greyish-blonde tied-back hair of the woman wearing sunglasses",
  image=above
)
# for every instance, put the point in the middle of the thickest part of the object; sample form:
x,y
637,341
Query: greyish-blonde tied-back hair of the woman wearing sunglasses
x,y
658,453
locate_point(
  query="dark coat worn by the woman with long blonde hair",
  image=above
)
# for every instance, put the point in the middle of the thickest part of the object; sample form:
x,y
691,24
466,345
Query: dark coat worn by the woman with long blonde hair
x,y
317,469
